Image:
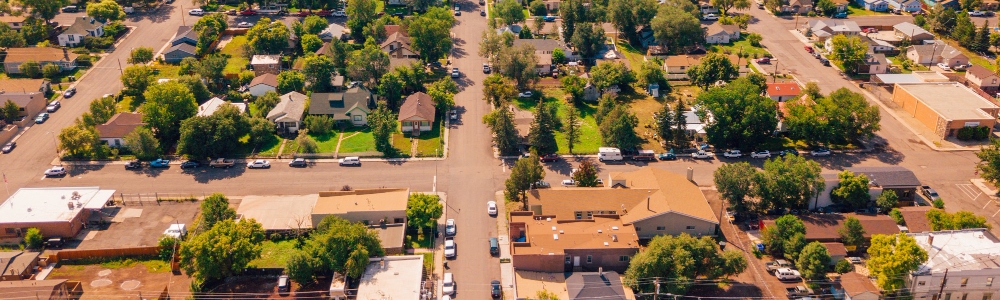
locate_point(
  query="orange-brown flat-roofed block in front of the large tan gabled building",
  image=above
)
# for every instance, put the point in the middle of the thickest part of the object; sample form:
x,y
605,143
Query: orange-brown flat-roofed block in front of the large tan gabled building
x,y
547,243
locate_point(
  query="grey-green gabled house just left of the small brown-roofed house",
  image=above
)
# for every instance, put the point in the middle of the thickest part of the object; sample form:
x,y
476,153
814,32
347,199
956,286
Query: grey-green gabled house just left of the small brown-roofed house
x,y
352,105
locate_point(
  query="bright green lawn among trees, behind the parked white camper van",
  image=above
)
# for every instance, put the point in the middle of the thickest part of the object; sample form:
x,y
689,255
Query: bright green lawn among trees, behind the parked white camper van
x,y
590,136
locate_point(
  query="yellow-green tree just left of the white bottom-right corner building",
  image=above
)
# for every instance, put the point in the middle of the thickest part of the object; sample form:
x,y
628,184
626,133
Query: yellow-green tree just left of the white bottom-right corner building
x,y
892,257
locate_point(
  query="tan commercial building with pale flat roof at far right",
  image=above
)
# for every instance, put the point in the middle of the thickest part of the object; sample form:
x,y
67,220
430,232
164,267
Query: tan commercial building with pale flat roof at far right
x,y
945,107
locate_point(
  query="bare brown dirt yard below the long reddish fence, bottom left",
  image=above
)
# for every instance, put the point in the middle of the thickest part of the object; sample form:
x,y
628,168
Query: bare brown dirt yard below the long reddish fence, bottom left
x,y
126,281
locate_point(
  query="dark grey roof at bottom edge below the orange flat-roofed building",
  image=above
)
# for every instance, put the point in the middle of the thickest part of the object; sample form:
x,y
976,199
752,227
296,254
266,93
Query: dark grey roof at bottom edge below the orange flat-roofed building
x,y
594,285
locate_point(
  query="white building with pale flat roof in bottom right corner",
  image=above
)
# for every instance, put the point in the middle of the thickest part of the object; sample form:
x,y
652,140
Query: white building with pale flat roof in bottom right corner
x,y
968,257
